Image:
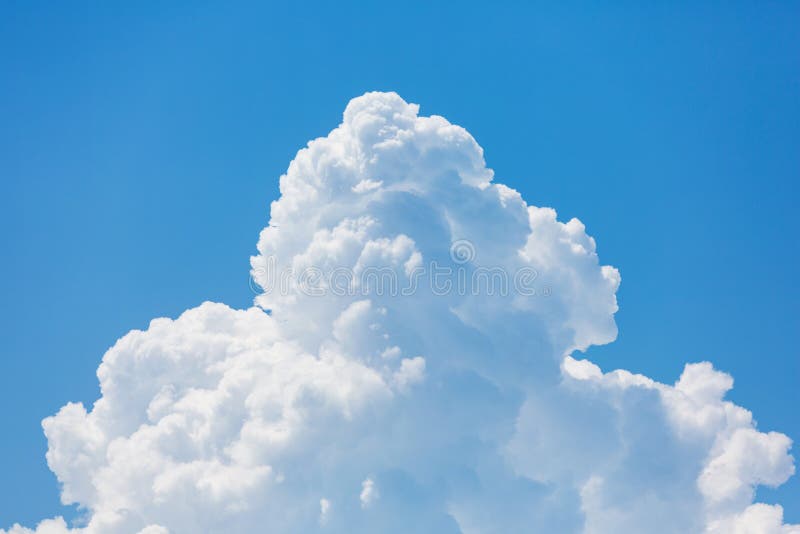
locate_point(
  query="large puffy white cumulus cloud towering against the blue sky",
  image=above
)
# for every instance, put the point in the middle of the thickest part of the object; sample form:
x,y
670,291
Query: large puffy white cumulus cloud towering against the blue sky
x,y
410,365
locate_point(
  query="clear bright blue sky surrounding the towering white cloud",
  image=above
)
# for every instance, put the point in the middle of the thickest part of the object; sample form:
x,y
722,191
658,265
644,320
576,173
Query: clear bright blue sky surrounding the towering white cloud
x,y
140,146
